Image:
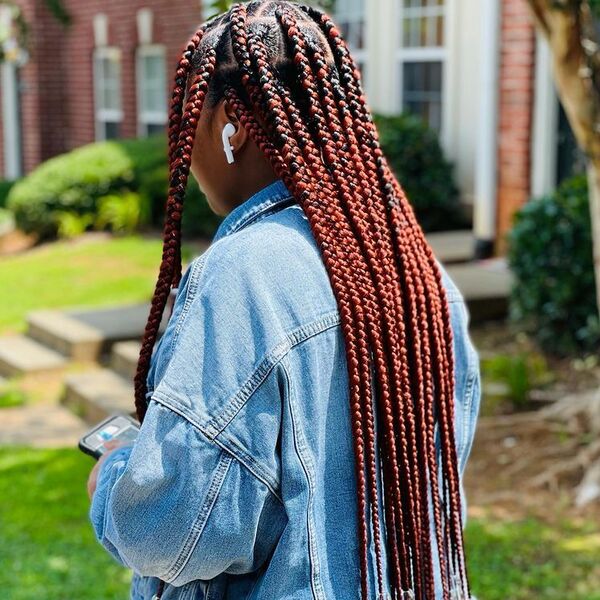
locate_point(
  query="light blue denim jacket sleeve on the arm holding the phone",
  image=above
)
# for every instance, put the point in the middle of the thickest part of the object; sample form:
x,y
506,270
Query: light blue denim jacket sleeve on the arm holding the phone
x,y
181,504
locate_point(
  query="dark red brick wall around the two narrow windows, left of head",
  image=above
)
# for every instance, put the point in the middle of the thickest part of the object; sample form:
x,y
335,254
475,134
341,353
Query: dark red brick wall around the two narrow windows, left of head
x,y
57,100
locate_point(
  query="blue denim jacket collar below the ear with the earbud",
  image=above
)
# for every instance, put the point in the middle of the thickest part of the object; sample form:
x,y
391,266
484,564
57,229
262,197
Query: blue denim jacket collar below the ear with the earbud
x,y
271,197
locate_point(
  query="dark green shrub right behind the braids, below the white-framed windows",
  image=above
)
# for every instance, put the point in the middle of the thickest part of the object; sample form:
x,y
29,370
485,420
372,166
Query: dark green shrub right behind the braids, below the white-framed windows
x,y
414,153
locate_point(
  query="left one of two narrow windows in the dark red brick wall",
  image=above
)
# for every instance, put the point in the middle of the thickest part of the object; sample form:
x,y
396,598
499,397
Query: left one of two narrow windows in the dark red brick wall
x,y
107,91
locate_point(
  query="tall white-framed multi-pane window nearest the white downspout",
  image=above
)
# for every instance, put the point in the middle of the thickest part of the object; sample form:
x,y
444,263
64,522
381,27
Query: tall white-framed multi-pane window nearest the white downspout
x,y
422,57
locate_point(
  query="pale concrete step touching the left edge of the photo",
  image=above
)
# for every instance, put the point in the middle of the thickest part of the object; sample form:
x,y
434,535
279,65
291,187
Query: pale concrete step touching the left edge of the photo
x,y
20,355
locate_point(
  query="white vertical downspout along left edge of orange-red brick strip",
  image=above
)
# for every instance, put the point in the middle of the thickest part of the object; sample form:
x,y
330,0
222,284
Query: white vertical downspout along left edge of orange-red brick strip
x,y
484,217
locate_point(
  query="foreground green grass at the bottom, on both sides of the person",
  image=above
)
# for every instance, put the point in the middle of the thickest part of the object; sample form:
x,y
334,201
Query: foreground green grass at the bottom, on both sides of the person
x,y
48,551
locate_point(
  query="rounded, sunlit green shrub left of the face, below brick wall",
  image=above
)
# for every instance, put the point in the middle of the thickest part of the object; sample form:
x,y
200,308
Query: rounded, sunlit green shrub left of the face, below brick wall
x,y
75,182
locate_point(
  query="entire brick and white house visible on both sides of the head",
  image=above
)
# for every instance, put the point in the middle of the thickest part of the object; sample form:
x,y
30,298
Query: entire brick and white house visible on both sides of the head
x,y
473,69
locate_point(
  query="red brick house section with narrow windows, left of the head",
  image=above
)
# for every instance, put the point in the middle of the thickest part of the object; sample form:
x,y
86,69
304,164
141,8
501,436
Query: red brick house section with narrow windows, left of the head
x,y
104,75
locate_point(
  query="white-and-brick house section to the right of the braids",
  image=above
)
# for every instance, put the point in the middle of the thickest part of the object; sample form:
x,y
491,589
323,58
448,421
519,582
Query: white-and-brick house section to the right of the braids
x,y
477,73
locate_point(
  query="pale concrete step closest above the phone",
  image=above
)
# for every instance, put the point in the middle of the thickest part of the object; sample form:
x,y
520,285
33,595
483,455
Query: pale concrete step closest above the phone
x,y
94,395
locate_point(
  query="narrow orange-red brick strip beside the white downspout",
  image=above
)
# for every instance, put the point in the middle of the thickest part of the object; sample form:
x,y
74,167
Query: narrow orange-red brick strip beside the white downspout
x,y
517,69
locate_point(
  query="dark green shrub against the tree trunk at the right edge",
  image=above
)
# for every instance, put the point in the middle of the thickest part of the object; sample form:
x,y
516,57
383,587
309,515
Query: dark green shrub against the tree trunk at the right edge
x,y
550,254
